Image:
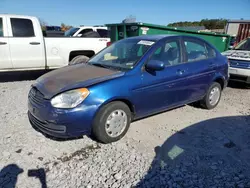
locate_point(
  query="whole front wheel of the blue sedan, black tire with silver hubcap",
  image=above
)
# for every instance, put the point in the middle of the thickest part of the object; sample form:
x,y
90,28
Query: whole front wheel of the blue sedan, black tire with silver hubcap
x,y
99,127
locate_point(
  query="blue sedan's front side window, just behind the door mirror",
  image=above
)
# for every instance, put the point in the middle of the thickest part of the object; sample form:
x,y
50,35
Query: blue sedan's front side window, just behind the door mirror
x,y
169,53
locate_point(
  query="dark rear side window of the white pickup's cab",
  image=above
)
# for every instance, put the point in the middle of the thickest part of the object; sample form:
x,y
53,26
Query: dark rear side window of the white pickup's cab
x,y
22,27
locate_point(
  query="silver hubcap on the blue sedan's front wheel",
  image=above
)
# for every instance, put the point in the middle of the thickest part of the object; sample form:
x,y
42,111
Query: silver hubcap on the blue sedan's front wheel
x,y
116,123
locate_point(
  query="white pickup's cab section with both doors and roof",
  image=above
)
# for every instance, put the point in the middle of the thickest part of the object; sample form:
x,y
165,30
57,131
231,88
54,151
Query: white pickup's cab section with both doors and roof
x,y
20,42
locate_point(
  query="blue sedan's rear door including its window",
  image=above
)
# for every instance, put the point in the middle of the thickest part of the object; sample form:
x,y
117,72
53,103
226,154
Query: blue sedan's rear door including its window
x,y
201,60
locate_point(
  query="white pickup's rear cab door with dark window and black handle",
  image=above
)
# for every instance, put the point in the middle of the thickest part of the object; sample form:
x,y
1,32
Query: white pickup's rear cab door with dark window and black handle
x,y
26,43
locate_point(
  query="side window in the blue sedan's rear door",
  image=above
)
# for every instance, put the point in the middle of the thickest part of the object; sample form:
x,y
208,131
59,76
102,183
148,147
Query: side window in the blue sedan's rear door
x,y
195,50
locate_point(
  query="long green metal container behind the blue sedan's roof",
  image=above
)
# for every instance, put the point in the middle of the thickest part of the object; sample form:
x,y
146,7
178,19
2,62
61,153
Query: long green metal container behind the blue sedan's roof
x,y
124,30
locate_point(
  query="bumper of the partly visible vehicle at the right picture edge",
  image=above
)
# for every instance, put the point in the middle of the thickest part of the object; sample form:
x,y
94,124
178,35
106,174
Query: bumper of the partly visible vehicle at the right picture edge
x,y
240,75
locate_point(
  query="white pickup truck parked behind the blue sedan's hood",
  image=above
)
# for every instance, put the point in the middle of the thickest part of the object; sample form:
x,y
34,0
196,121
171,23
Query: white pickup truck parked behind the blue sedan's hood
x,y
23,46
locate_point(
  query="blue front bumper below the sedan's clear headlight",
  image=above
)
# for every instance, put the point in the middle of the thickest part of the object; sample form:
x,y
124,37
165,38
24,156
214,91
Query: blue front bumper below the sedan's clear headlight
x,y
61,123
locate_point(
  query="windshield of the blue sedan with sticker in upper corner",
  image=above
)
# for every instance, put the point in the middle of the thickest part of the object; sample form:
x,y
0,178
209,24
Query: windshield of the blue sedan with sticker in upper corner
x,y
122,55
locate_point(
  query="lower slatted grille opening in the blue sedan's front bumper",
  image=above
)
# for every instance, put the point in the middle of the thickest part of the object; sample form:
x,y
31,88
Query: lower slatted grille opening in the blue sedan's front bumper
x,y
46,126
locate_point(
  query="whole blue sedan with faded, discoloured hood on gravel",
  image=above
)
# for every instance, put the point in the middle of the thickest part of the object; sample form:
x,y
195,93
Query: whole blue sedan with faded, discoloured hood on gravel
x,y
131,79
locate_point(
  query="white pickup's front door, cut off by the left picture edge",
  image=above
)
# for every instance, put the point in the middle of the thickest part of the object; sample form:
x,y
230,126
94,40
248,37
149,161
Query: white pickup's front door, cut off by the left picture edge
x,y
5,59
